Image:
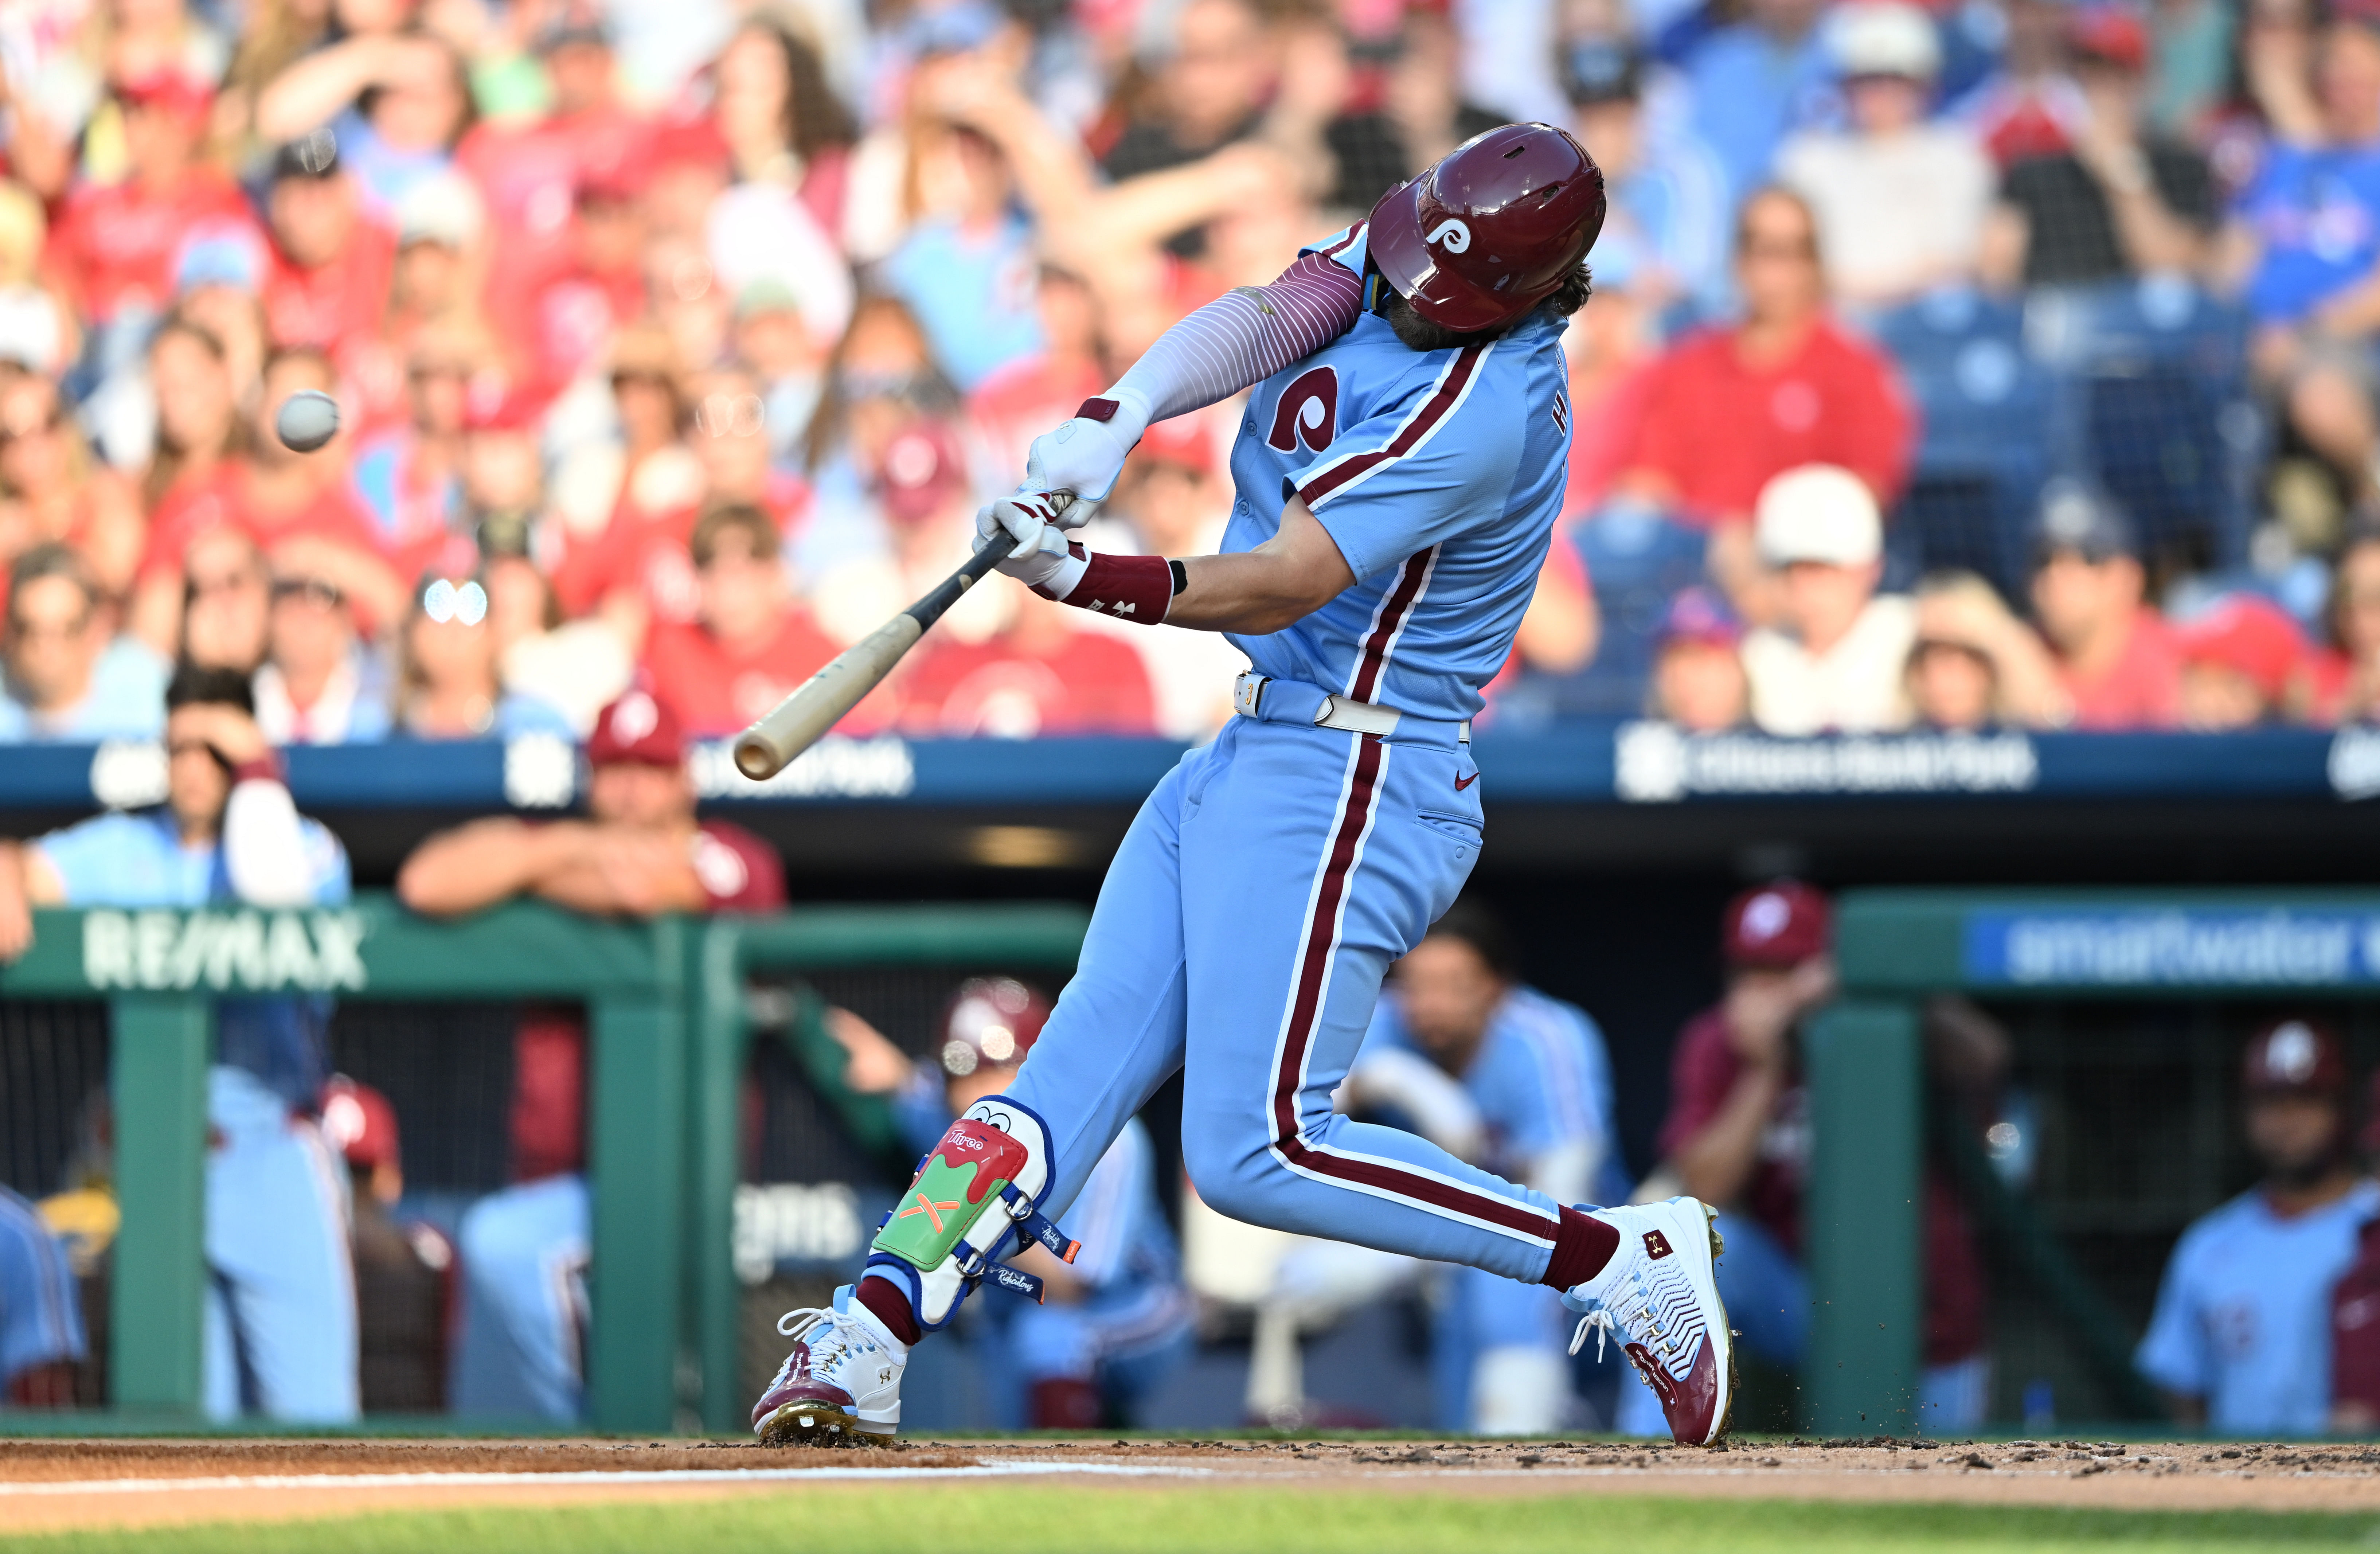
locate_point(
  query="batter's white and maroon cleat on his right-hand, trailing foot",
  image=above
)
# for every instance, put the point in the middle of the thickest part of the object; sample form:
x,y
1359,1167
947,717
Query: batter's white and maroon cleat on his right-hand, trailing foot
x,y
1660,1296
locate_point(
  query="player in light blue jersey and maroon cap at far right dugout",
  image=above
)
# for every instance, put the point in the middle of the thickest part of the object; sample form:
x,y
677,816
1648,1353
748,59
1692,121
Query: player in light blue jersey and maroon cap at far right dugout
x,y
2241,1336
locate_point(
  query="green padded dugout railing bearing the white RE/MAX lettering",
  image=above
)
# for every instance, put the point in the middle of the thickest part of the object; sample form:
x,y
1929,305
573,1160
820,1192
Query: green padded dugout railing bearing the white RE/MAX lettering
x,y
668,1046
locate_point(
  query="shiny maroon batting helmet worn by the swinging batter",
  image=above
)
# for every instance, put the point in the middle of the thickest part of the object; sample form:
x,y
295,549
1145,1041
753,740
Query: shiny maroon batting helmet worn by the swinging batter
x,y
1493,230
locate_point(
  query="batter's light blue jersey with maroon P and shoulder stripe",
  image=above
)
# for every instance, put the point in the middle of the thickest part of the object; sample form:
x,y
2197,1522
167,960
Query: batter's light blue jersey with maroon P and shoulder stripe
x,y
1439,475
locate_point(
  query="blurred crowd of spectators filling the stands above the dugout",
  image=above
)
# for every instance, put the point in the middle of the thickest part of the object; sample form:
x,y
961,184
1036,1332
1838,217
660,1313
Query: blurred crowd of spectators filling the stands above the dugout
x,y
677,346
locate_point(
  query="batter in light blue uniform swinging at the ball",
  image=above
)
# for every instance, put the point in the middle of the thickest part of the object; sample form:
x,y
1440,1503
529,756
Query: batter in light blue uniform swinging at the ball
x,y
1398,477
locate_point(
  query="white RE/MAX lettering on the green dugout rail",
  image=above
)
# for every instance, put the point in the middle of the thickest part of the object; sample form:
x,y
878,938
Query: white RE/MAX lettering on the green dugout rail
x,y
225,951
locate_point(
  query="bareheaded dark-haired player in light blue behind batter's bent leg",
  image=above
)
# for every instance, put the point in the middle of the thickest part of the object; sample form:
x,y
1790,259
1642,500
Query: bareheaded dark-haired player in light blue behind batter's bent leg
x,y
1532,1101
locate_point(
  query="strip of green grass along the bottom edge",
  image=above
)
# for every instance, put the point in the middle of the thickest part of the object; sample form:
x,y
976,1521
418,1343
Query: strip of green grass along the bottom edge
x,y
1029,1519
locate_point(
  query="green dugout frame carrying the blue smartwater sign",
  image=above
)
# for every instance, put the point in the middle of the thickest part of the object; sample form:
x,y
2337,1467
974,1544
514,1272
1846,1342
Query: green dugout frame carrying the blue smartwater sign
x,y
1865,1063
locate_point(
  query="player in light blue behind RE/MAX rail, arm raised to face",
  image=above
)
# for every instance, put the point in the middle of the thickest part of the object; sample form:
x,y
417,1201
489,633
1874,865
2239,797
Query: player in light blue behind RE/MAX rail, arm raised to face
x,y
280,1320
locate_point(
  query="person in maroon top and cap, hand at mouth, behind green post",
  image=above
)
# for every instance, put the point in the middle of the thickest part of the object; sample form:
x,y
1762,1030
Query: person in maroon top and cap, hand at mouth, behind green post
x,y
1739,1136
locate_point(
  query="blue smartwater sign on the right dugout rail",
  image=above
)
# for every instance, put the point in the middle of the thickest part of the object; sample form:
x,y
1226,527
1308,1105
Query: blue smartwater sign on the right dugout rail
x,y
2169,948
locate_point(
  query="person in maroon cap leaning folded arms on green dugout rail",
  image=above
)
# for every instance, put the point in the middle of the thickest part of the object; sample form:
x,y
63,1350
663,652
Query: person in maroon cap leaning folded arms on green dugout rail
x,y
639,853
